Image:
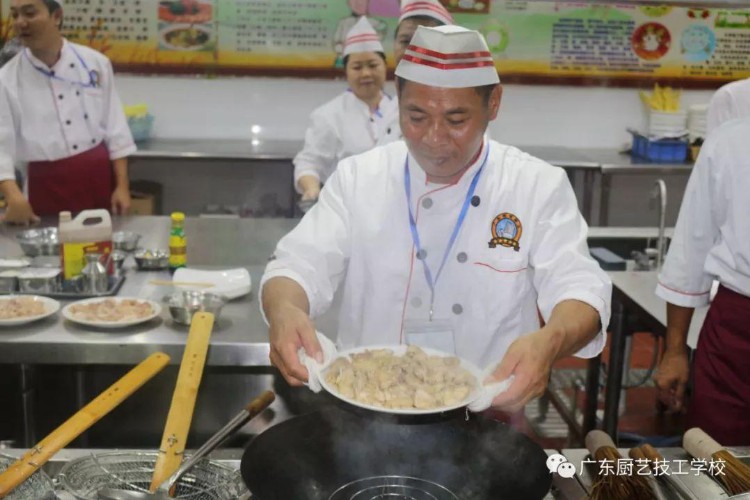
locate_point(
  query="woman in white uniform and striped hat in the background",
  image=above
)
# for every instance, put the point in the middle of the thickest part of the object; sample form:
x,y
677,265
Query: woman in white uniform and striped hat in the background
x,y
360,118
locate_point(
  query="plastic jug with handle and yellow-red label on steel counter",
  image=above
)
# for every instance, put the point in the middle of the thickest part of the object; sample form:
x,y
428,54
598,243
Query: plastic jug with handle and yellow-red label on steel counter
x,y
89,232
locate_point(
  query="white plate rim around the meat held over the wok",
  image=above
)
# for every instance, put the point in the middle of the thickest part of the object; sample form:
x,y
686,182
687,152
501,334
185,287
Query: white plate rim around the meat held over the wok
x,y
400,350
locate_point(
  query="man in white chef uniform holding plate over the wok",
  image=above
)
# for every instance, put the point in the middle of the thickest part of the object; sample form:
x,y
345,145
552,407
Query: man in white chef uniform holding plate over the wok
x,y
446,239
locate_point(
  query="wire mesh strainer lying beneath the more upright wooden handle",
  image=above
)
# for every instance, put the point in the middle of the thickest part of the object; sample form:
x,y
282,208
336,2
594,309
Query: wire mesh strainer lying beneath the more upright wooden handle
x,y
207,480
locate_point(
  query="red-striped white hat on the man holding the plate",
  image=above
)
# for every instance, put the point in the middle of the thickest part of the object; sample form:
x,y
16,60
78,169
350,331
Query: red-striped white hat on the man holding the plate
x,y
449,57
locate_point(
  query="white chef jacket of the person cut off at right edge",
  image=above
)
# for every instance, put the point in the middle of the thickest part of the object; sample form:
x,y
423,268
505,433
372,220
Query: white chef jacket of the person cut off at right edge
x,y
712,236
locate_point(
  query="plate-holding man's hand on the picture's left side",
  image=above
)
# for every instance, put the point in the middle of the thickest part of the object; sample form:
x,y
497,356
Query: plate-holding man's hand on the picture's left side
x,y
290,329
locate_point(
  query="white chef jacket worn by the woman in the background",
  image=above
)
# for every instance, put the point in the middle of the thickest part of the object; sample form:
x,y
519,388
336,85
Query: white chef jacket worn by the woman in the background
x,y
342,127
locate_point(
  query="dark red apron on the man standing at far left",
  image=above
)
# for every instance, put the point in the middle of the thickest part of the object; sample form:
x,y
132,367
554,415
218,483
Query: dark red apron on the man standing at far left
x,y
80,182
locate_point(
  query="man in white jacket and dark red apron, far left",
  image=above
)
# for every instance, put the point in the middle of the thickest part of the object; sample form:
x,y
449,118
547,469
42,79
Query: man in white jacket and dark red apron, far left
x,y
61,114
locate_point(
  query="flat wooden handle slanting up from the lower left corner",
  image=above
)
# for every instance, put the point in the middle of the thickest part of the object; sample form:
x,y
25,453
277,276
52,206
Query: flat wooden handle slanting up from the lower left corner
x,y
84,418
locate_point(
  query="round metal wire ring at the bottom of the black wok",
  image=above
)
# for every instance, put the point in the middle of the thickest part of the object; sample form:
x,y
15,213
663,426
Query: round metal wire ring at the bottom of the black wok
x,y
392,488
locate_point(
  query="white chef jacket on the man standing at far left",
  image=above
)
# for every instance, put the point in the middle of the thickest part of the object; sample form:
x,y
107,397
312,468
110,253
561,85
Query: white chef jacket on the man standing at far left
x,y
47,118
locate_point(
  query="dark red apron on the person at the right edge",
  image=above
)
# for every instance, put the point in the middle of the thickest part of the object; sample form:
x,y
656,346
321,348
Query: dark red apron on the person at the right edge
x,y
720,403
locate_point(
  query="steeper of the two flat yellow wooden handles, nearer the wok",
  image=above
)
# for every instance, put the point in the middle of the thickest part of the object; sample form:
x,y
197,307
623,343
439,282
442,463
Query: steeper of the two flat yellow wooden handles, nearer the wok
x,y
183,400
